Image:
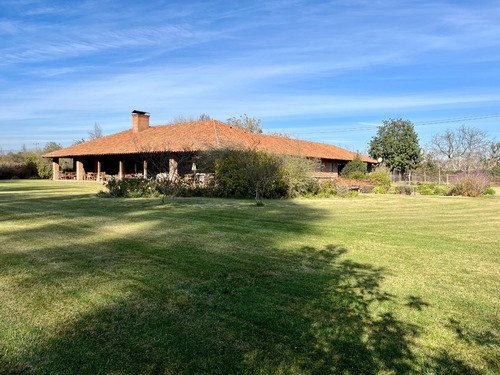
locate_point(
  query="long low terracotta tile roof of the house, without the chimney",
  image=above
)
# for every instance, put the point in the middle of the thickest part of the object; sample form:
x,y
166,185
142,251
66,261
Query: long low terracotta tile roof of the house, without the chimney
x,y
200,136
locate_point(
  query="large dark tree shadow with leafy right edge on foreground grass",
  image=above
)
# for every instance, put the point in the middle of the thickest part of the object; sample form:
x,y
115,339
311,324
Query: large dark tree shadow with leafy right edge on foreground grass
x,y
302,311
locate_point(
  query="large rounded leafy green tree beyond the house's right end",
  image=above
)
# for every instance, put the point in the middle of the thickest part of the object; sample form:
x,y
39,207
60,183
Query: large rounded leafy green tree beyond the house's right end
x,y
397,144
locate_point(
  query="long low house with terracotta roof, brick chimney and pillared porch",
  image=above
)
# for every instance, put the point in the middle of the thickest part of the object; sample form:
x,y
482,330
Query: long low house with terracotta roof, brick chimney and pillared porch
x,y
128,152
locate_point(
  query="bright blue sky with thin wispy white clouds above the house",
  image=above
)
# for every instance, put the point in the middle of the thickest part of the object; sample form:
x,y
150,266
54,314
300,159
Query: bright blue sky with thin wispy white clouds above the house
x,y
327,71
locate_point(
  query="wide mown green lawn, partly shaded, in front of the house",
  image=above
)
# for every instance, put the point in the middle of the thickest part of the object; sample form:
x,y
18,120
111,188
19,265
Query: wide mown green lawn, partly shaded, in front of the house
x,y
373,284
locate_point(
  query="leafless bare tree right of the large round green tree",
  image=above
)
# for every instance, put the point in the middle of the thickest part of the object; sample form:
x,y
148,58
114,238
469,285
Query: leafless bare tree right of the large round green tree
x,y
460,150
